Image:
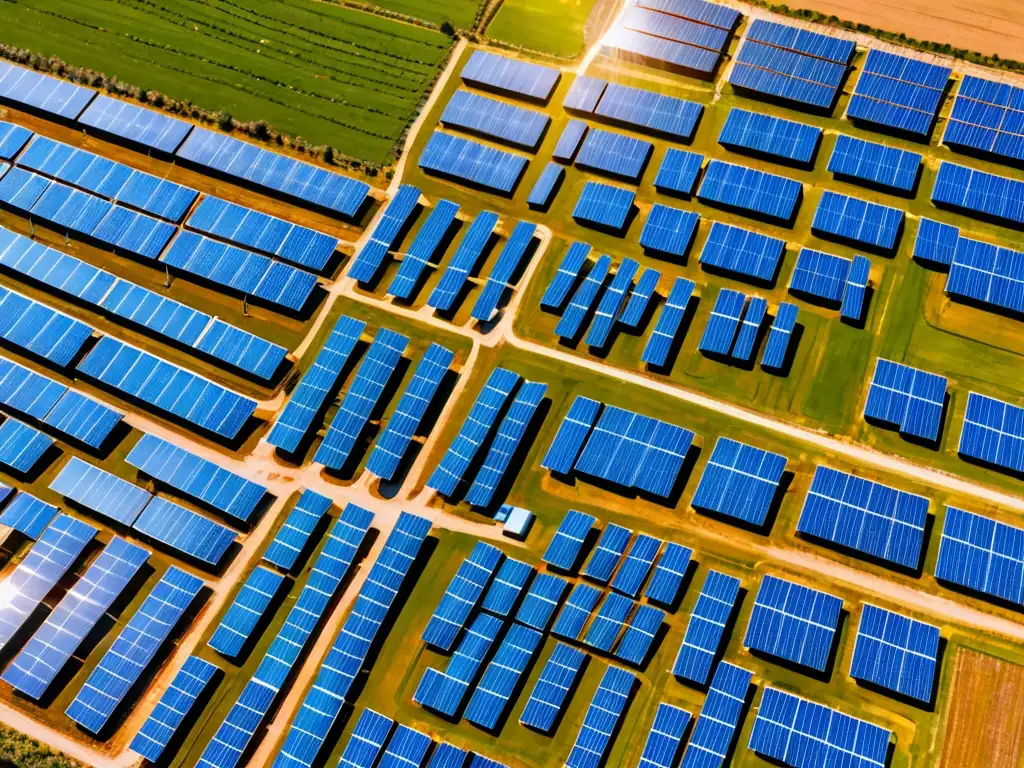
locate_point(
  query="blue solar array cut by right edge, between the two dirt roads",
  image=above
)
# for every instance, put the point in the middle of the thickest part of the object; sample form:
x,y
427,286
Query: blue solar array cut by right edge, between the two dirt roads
x,y
983,556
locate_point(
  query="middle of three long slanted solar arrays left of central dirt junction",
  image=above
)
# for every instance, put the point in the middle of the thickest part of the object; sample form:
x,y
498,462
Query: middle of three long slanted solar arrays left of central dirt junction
x,y
362,400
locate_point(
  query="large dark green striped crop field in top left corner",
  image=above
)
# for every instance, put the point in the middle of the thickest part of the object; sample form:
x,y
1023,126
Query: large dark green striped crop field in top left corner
x,y
332,75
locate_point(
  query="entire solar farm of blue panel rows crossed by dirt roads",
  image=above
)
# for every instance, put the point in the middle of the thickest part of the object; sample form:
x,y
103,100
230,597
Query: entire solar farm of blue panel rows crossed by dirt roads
x,y
665,409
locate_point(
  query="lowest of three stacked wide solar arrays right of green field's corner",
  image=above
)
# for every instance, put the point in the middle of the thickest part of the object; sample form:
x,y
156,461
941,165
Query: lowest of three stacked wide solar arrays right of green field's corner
x,y
463,159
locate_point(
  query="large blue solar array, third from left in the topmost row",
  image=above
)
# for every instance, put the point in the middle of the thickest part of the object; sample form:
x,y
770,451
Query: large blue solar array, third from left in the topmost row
x,y
899,93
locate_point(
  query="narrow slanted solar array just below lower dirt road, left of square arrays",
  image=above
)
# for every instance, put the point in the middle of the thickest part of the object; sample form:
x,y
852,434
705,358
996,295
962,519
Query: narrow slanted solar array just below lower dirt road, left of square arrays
x,y
707,628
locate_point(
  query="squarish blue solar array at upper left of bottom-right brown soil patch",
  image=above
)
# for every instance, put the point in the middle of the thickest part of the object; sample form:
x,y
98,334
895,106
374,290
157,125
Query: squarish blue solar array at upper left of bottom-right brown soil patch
x,y
897,653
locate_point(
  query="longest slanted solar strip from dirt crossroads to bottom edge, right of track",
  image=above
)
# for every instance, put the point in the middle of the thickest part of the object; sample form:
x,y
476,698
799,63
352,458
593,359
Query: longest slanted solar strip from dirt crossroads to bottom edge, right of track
x,y
359,634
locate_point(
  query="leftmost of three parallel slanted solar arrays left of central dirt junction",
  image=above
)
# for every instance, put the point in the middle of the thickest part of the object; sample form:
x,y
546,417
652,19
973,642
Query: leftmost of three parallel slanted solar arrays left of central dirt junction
x,y
320,381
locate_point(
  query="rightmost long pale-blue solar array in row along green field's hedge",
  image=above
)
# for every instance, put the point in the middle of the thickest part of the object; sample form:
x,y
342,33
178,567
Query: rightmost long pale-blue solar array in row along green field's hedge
x,y
267,169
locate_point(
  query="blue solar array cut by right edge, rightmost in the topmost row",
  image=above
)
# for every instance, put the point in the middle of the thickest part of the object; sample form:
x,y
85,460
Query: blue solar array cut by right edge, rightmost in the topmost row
x,y
988,118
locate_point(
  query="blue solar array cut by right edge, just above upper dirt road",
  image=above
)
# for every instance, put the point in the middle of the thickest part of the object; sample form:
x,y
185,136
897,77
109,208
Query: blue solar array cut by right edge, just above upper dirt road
x,y
994,433
